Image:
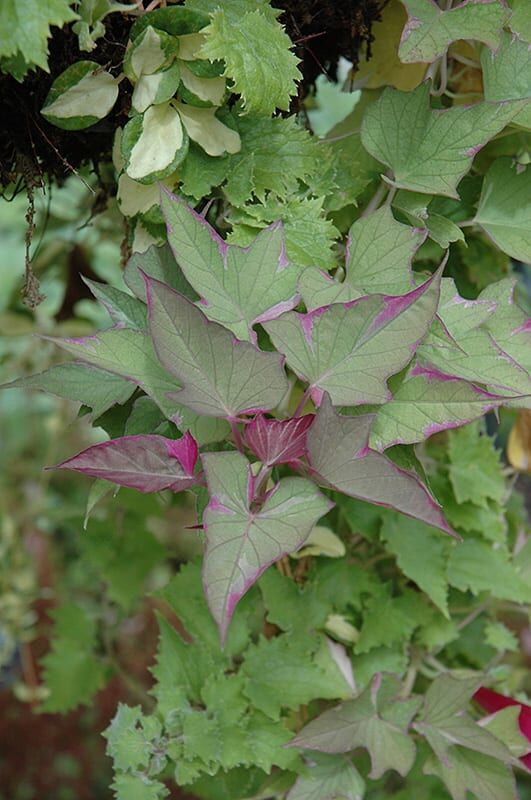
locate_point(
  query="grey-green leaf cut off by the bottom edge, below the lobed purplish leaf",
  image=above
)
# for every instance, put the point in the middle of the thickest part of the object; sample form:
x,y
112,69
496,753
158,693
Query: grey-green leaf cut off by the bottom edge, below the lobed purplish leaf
x,y
328,777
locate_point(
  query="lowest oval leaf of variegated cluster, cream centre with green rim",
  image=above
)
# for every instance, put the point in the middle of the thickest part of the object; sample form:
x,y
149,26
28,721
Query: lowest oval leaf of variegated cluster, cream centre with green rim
x,y
154,143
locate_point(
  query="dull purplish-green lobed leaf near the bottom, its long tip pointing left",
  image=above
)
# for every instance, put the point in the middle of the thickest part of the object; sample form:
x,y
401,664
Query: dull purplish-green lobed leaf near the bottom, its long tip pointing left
x,y
376,720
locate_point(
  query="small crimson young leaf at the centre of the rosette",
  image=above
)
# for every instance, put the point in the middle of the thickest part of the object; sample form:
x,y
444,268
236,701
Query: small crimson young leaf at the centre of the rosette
x,y
277,441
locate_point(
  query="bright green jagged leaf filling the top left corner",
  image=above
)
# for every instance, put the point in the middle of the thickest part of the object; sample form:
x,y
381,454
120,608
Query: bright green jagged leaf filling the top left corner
x,y
25,29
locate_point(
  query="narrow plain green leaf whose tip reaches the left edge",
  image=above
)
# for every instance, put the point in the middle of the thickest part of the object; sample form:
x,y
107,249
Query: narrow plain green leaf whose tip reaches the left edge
x,y
95,388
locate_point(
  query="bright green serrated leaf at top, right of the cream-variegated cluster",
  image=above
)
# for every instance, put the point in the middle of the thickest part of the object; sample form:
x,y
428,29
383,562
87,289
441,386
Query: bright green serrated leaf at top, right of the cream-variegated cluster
x,y
246,48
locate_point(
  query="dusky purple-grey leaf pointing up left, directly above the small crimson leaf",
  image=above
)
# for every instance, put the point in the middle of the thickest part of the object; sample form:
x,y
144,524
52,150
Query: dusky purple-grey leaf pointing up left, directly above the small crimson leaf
x,y
221,376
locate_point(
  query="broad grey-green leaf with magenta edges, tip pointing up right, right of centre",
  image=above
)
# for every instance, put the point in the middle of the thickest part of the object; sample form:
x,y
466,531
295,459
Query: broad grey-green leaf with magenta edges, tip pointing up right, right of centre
x,y
379,336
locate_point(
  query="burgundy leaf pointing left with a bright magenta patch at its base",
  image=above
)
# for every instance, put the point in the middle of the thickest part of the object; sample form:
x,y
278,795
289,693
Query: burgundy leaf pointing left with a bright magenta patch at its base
x,y
146,463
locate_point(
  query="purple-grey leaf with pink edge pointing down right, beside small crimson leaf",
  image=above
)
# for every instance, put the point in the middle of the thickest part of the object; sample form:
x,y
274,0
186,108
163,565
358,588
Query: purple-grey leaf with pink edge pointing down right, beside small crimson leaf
x,y
339,454
